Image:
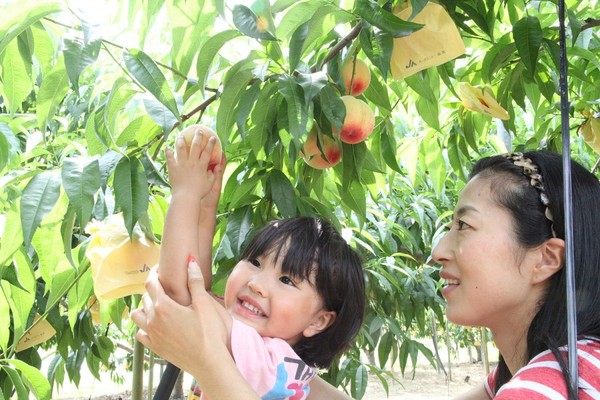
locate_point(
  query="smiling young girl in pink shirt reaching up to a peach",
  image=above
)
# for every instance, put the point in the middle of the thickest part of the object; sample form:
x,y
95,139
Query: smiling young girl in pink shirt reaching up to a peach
x,y
293,302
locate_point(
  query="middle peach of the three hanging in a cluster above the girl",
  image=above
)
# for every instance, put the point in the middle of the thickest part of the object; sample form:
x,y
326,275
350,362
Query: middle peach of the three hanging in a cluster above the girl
x,y
359,121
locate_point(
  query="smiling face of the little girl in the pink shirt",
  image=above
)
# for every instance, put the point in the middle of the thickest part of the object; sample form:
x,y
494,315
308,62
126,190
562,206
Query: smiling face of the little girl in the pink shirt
x,y
276,305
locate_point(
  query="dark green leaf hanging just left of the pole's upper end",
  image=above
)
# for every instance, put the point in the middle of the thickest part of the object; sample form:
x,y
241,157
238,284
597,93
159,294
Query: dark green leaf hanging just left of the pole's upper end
x,y
528,37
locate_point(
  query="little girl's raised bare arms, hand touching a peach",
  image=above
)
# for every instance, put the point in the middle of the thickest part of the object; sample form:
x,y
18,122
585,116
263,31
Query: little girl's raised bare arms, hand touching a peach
x,y
190,182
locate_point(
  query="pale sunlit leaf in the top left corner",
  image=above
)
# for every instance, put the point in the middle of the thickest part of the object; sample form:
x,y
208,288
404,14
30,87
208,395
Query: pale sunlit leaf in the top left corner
x,y
19,16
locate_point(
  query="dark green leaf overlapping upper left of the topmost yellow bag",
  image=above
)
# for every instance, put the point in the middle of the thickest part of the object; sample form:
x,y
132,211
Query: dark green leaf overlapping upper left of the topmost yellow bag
x,y
383,19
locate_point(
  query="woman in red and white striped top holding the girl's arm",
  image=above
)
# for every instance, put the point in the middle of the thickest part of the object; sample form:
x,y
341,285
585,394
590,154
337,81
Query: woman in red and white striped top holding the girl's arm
x,y
503,265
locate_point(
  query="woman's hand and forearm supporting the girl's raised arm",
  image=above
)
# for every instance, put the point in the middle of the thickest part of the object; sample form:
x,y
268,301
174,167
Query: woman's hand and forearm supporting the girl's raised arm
x,y
194,338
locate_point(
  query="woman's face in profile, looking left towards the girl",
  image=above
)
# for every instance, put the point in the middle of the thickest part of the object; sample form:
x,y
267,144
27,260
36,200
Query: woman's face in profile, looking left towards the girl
x,y
487,273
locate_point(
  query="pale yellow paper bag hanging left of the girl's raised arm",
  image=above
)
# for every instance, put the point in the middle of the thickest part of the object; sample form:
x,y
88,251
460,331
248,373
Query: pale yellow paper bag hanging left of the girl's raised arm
x,y
120,265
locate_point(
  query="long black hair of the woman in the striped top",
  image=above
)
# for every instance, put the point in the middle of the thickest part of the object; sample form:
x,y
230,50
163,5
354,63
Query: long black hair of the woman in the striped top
x,y
513,191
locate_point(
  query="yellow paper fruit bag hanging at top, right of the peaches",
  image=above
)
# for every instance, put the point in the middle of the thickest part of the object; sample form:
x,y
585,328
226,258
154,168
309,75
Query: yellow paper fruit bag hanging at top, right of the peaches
x,y
436,43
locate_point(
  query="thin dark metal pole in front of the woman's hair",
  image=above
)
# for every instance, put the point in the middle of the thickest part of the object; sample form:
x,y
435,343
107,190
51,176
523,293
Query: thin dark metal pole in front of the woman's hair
x,y
568,221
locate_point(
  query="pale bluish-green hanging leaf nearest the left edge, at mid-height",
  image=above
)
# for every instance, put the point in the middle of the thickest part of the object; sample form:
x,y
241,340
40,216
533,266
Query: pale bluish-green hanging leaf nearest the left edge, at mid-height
x,y
39,196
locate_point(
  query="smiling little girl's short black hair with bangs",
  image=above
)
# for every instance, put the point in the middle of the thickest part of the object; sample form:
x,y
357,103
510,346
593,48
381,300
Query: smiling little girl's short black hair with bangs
x,y
311,244
